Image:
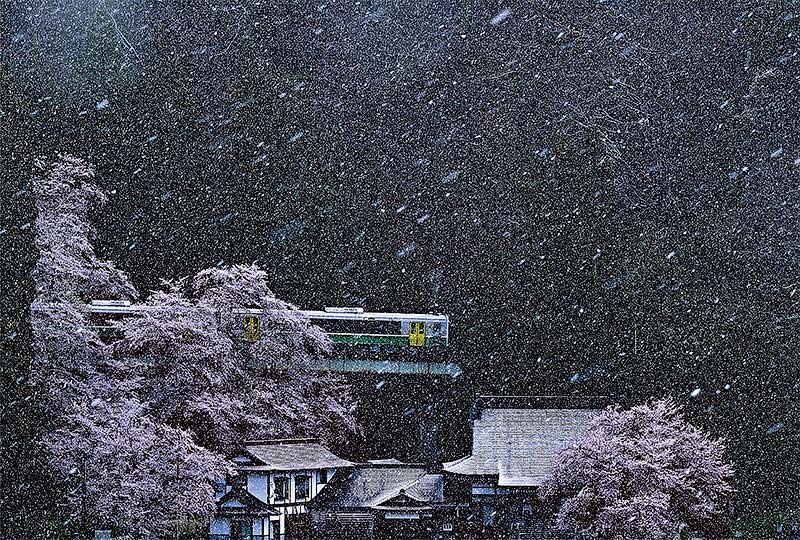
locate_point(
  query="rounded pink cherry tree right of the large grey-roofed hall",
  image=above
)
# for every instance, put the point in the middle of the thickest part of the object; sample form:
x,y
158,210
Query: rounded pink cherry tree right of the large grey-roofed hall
x,y
640,473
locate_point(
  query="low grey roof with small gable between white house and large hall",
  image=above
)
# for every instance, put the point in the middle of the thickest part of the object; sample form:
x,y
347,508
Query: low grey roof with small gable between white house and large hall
x,y
368,486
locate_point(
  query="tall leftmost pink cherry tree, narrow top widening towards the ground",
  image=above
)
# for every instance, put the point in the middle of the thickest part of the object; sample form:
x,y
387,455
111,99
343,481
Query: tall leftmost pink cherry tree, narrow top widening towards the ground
x,y
115,462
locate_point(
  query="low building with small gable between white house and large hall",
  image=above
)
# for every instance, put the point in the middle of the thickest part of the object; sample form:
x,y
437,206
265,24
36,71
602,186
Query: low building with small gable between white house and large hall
x,y
381,499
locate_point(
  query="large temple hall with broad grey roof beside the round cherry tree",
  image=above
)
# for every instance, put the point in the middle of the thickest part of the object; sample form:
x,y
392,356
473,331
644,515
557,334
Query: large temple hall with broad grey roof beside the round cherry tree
x,y
515,443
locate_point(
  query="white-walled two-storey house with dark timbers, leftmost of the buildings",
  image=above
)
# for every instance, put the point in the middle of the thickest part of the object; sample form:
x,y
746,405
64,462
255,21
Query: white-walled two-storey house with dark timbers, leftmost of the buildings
x,y
275,482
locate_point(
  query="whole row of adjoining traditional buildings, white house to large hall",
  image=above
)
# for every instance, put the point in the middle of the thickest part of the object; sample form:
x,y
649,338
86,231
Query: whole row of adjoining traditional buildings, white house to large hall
x,y
297,489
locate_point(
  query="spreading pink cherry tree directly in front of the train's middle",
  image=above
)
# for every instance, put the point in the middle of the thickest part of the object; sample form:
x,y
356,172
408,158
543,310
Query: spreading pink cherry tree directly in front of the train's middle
x,y
197,368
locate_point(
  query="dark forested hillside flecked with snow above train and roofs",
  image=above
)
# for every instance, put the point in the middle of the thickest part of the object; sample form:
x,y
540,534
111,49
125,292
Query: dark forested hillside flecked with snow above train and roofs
x,y
603,196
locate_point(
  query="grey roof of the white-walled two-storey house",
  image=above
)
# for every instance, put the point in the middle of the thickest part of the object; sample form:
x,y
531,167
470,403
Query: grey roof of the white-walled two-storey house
x,y
288,455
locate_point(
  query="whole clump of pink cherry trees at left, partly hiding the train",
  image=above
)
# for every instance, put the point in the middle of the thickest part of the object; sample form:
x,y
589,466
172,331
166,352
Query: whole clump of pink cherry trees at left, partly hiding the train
x,y
141,427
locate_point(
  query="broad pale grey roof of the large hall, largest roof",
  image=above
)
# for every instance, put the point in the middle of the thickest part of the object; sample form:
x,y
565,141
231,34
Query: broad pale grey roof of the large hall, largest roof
x,y
520,446
